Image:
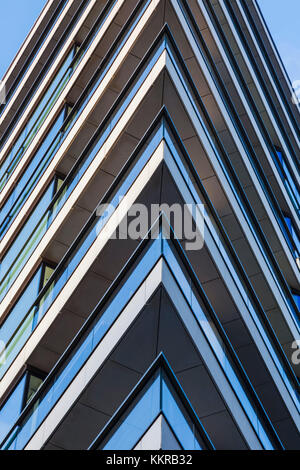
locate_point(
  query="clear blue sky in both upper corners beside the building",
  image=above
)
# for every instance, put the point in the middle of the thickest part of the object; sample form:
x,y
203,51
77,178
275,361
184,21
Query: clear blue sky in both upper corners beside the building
x,y
18,16
